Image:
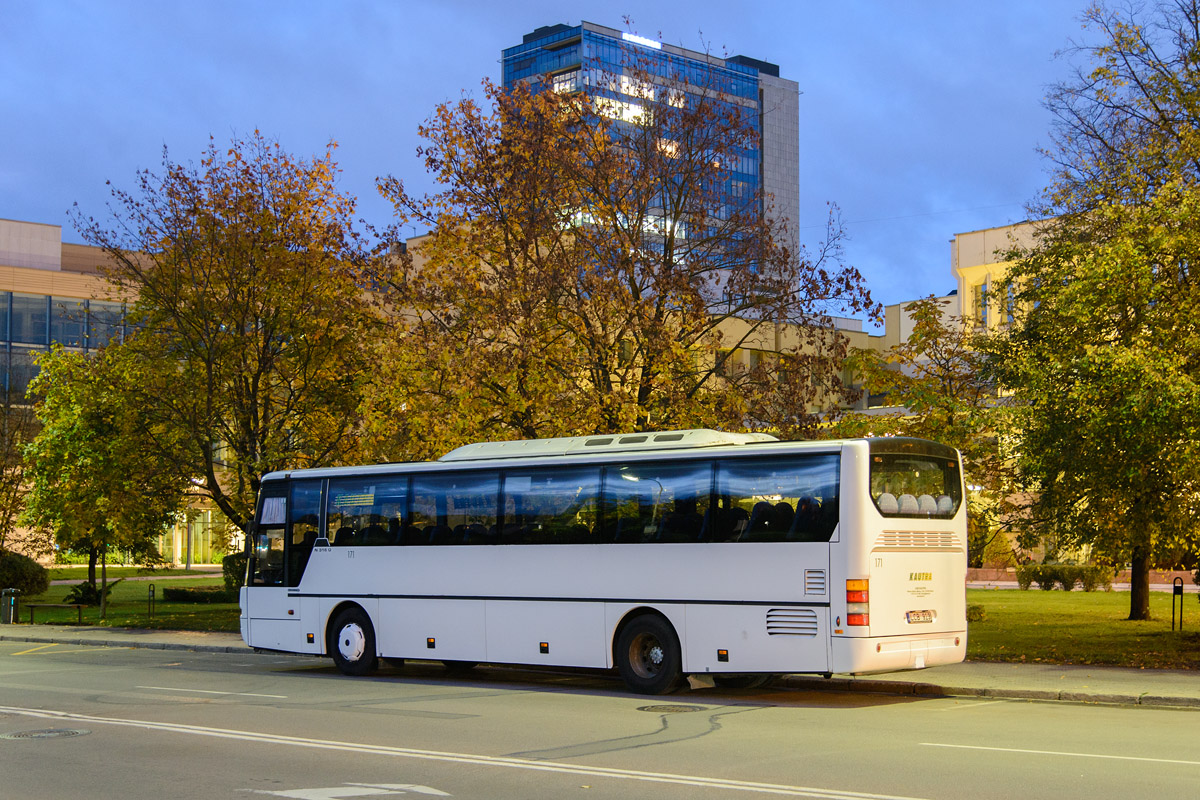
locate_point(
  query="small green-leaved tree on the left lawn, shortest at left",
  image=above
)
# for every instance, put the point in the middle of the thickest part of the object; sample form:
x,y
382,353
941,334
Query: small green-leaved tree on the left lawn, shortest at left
x,y
95,480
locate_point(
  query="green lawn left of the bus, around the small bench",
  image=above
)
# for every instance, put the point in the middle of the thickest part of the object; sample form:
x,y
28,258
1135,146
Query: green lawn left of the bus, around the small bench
x,y
128,609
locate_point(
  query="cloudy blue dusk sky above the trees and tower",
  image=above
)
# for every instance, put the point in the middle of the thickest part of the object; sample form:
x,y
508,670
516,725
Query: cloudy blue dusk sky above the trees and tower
x,y
920,121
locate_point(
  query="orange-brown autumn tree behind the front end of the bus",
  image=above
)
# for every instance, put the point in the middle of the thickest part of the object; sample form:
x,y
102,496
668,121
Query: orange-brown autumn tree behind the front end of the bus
x,y
250,310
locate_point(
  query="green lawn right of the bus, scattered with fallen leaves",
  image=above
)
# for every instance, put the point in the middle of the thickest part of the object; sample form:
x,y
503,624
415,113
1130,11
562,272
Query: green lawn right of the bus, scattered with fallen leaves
x,y
1079,628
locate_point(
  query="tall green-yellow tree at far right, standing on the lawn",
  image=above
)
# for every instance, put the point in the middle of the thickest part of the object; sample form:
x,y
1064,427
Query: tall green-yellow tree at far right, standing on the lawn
x,y
1103,357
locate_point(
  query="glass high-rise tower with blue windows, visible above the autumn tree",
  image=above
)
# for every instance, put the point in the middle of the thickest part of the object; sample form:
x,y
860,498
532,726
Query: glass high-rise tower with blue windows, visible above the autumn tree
x,y
574,58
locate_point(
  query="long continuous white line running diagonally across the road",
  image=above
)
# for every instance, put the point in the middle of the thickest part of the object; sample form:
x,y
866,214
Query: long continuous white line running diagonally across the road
x,y
465,759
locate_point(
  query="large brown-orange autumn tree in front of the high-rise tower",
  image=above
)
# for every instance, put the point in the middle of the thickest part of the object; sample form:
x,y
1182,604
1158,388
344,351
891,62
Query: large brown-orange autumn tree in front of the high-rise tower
x,y
593,261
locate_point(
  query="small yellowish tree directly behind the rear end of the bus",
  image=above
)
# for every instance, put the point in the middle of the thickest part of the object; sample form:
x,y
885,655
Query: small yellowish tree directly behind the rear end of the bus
x,y
937,384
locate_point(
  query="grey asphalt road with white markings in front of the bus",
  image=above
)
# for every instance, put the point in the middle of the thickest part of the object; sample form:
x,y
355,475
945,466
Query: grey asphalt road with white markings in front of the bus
x,y
79,721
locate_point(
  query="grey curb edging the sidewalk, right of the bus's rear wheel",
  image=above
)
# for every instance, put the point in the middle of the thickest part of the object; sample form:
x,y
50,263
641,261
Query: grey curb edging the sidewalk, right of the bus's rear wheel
x,y
938,690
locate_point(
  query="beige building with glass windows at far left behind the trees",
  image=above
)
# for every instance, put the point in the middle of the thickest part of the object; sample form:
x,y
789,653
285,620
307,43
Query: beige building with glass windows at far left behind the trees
x,y
52,292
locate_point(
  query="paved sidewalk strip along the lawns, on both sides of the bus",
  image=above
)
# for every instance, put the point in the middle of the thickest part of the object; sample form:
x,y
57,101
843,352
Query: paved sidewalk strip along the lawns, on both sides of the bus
x,y
1169,688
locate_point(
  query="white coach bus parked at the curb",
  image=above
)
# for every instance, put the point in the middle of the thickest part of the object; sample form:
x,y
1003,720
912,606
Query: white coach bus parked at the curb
x,y
662,555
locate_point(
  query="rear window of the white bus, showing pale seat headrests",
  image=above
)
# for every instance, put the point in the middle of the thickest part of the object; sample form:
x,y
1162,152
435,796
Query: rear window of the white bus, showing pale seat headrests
x,y
916,486
